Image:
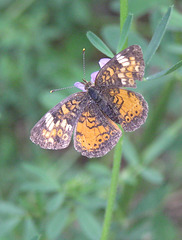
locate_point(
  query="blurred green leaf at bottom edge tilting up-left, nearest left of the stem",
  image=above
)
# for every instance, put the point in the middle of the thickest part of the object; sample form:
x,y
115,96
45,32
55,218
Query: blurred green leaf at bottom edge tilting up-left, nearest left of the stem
x,y
88,223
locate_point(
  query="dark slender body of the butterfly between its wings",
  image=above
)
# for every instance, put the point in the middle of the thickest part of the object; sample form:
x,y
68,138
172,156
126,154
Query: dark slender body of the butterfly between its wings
x,y
103,104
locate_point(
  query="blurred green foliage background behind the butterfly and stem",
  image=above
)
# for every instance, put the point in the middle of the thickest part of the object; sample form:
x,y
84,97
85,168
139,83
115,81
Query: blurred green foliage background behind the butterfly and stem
x,y
60,194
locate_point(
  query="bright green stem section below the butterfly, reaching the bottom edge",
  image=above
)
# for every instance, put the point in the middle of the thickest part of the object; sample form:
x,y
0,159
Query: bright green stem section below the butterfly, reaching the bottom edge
x,y
112,190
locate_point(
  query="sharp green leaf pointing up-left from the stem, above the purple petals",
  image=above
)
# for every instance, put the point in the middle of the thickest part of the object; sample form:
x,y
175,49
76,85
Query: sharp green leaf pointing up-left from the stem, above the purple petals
x,y
99,44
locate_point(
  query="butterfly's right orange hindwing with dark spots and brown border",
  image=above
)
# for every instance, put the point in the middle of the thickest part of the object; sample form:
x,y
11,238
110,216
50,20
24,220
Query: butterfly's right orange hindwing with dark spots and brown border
x,y
129,108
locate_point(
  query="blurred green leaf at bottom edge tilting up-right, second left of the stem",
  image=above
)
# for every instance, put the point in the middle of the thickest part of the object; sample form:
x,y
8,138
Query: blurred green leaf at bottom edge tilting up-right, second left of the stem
x,y
56,224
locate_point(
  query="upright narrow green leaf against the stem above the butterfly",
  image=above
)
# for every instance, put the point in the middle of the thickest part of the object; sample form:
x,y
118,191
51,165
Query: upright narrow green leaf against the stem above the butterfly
x,y
124,32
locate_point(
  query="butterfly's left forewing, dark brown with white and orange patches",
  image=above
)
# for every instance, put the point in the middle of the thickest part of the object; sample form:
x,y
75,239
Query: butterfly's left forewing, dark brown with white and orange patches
x,y
55,128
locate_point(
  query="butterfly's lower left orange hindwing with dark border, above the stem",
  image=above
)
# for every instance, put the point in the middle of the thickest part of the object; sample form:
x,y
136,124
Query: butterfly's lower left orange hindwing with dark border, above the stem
x,y
95,134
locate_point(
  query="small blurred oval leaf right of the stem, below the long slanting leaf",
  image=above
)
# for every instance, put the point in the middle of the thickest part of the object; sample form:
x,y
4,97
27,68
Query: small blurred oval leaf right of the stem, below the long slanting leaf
x,y
152,175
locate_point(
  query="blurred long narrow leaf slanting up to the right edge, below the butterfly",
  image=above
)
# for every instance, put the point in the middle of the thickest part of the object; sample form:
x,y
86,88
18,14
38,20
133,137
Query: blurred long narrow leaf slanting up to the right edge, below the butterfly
x,y
163,142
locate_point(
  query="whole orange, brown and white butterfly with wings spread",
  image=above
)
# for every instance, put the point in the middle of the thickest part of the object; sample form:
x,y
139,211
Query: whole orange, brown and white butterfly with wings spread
x,y
94,113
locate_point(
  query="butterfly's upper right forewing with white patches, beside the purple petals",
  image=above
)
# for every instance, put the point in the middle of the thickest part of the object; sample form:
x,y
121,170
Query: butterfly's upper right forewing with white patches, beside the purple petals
x,y
123,69
